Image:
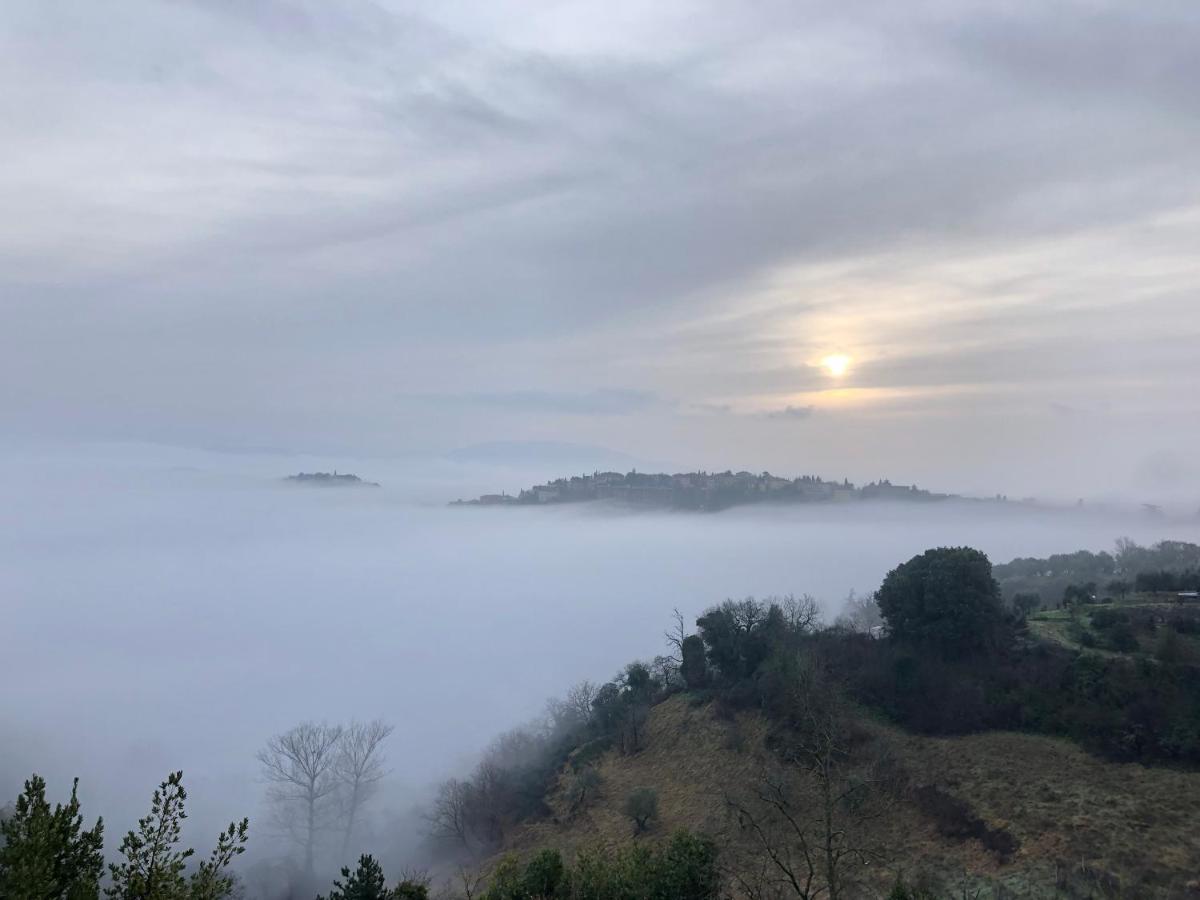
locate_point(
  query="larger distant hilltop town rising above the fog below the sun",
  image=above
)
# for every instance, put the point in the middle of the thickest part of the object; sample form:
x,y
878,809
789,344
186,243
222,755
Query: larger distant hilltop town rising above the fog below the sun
x,y
704,491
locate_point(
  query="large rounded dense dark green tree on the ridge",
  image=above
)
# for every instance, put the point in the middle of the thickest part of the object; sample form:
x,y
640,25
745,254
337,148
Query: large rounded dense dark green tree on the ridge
x,y
945,601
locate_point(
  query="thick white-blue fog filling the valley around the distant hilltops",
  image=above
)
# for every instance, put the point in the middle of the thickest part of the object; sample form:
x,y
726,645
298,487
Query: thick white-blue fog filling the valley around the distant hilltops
x,y
165,610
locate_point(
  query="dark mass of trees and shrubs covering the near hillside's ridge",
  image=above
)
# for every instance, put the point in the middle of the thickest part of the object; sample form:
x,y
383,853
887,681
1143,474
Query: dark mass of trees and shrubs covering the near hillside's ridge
x,y
952,658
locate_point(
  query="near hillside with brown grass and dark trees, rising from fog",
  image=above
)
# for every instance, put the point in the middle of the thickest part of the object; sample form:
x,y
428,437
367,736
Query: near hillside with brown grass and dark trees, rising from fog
x,y
964,748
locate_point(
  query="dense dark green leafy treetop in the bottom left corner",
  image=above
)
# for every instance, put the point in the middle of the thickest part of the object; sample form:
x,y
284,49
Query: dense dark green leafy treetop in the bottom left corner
x,y
45,854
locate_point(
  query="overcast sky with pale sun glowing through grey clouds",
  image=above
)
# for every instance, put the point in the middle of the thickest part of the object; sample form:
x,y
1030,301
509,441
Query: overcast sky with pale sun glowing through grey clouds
x,y
383,229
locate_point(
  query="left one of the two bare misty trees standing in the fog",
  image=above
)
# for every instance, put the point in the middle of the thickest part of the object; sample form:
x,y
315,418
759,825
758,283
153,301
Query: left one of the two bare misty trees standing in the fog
x,y
299,766
